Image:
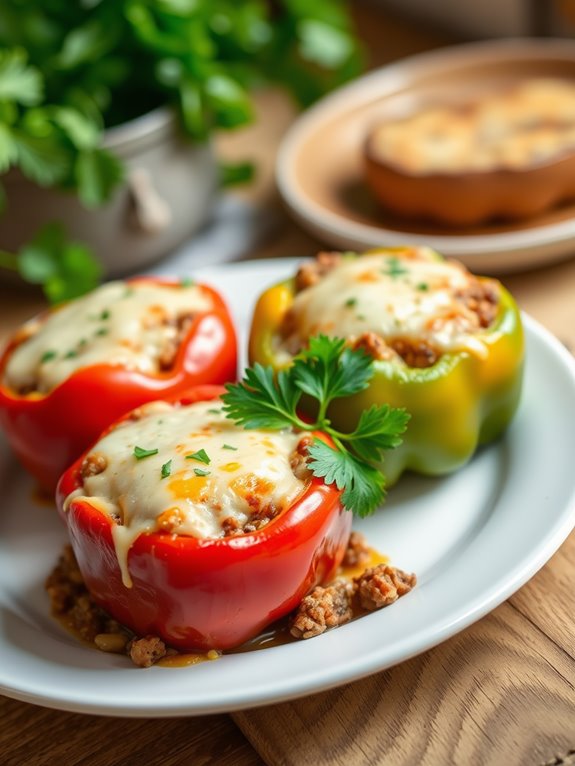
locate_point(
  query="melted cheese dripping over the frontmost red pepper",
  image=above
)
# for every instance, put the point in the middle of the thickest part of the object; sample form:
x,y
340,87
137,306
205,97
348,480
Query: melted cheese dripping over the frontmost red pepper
x,y
239,475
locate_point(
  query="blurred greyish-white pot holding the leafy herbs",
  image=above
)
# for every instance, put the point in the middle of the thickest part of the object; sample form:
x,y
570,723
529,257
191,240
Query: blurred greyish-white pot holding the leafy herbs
x,y
168,194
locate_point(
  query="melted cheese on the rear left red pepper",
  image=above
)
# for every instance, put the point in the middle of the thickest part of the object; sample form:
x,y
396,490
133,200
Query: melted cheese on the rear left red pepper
x,y
120,324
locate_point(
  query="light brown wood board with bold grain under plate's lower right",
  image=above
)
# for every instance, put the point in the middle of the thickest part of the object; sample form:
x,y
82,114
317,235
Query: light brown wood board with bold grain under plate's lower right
x,y
502,693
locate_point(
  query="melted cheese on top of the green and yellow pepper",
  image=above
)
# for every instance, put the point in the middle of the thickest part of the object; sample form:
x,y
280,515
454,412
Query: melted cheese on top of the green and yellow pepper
x,y
413,296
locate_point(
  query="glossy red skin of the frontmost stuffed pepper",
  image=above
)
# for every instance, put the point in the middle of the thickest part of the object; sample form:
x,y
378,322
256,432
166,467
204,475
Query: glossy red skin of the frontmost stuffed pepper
x,y
199,594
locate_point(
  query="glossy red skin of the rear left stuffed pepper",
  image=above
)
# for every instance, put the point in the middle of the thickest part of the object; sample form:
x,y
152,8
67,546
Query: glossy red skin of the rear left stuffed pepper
x,y
48,431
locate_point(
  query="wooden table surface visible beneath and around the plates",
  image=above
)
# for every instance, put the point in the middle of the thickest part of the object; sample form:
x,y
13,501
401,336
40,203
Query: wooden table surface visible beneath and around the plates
x,y
501,692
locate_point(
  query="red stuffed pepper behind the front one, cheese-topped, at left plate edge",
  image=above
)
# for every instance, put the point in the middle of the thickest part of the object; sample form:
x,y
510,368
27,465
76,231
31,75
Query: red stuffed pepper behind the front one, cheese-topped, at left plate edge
x,y
75,369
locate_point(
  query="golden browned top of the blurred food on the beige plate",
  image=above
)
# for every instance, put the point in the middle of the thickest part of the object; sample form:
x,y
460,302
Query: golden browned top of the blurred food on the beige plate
x,y
524,126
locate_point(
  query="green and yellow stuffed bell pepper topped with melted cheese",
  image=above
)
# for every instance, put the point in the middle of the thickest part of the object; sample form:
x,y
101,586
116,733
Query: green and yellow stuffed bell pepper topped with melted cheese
x,y
447,345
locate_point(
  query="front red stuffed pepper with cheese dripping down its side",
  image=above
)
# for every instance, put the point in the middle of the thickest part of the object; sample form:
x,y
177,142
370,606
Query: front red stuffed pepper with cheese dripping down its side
x,y
188,527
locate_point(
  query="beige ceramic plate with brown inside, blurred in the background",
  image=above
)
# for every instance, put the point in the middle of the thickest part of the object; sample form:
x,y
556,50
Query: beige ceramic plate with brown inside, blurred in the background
x,y
320,173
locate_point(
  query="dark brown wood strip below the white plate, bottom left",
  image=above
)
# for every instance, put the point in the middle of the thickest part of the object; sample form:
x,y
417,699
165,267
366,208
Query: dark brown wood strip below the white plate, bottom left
x,y
34,736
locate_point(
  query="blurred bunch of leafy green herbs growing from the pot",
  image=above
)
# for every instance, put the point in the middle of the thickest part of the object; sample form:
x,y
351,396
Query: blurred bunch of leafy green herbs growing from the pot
x,y
69,70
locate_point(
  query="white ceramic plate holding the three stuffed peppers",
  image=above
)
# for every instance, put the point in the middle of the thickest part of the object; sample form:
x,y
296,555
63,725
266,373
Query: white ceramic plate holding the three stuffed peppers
x,y
473,539
